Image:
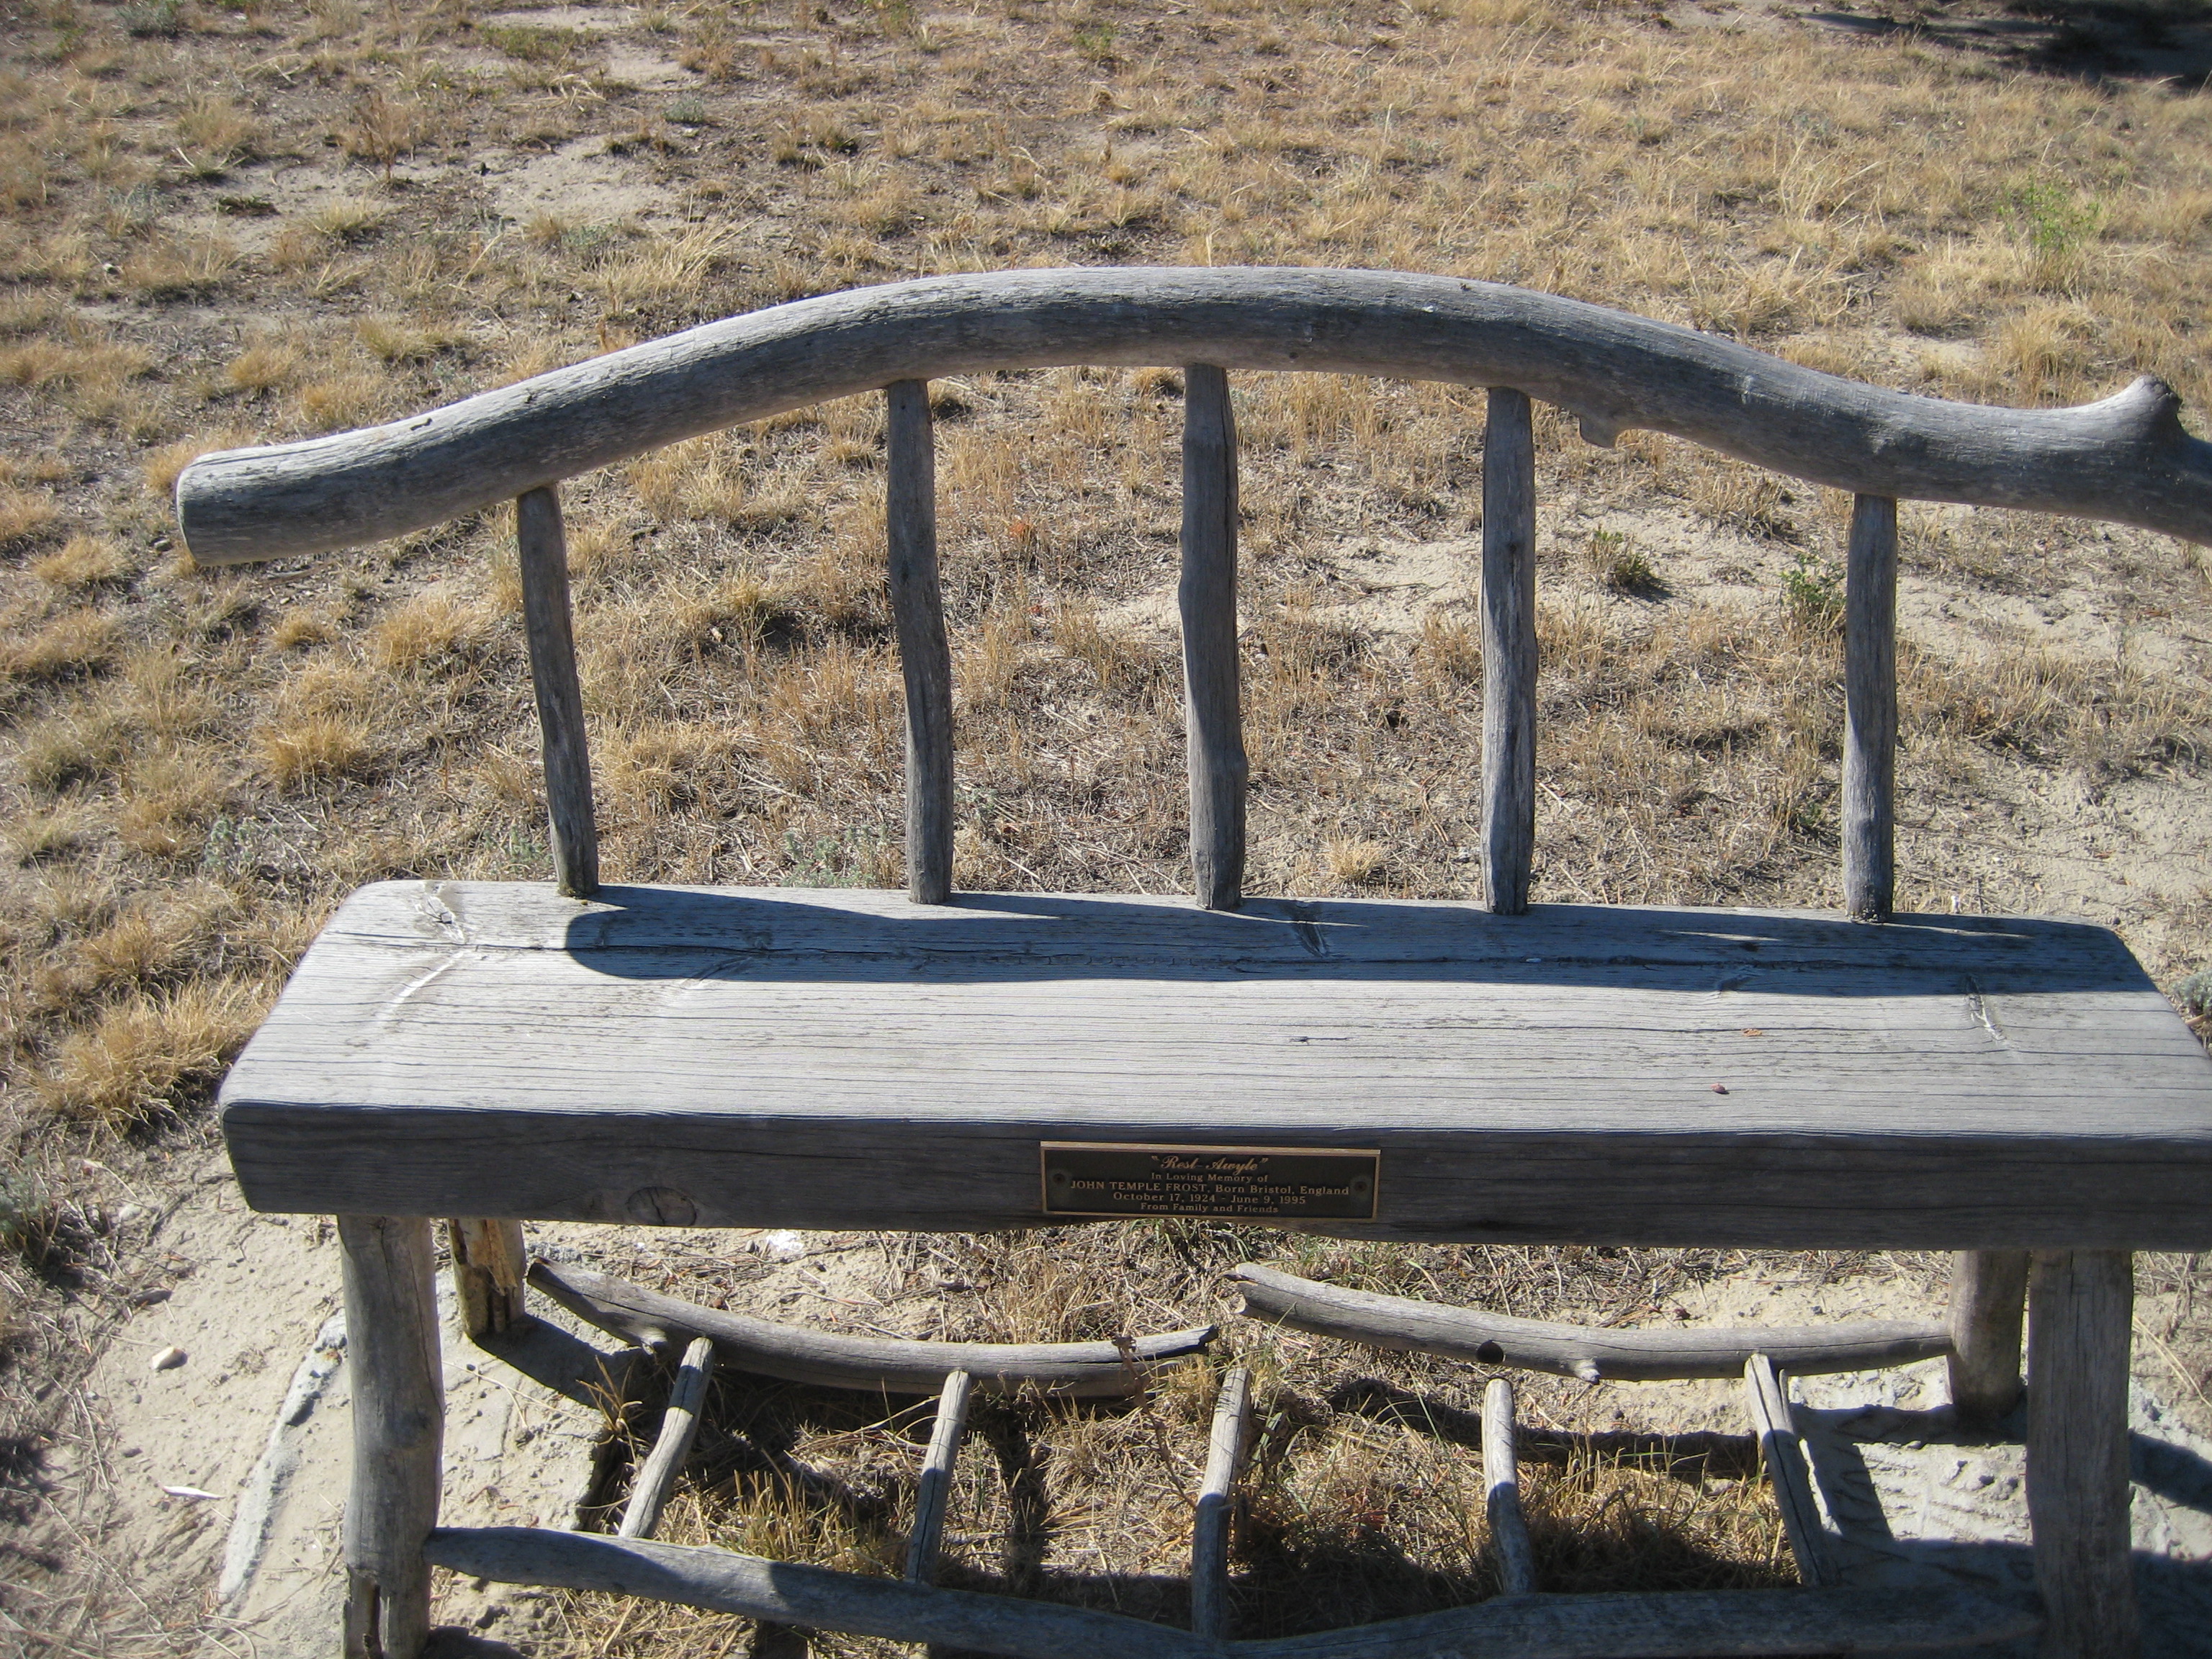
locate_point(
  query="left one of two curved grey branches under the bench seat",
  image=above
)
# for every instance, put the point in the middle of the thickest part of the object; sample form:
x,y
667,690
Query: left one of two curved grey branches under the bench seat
x,y
870,1364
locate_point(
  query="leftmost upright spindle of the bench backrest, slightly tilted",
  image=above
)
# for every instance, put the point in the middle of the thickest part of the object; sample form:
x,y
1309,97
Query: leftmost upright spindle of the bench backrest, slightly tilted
x,y
561,700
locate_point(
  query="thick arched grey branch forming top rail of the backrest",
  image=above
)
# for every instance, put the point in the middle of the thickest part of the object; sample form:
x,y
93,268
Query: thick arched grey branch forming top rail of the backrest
x,y
2125,459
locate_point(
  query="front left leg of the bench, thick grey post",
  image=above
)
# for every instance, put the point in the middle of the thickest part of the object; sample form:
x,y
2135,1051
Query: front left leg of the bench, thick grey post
x,y
399,1430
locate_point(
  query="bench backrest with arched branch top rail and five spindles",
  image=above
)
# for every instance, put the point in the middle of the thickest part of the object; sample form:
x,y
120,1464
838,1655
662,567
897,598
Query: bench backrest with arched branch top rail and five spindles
x,y
2125,461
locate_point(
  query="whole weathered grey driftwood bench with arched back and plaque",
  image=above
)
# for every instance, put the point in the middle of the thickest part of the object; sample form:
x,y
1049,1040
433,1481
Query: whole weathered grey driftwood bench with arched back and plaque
x,y
1530,1074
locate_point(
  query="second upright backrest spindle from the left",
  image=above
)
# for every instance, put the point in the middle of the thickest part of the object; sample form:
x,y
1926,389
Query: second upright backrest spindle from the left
x,y
924,656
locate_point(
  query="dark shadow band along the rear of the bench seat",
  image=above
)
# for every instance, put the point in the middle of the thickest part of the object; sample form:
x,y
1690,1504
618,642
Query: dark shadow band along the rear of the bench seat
x,y
1008,939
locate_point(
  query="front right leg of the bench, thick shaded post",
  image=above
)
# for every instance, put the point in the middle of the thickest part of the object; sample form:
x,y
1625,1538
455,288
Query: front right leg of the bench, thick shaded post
x,y
2080,1322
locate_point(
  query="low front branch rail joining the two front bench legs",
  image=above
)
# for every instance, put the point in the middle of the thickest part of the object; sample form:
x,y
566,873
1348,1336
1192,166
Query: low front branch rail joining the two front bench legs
x,y
1693,1625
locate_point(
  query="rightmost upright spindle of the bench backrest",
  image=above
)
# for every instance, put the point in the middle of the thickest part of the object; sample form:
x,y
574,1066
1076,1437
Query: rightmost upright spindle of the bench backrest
x,y
1870,709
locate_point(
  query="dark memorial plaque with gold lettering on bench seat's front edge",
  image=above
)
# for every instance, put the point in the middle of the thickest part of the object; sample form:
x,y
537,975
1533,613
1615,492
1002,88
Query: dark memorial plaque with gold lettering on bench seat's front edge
x,y
1255,1182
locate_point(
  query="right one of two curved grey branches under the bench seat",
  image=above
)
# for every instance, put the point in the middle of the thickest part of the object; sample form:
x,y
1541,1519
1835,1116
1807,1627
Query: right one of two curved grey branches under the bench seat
x,y
1578,1350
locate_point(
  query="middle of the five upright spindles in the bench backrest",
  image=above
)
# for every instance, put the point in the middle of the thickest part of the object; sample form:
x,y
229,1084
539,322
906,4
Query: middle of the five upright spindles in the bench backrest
x,y
1207,598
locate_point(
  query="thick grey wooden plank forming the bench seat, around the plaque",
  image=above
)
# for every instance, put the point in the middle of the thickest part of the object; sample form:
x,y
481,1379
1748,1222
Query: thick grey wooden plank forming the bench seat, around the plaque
x,y
1580,1074
